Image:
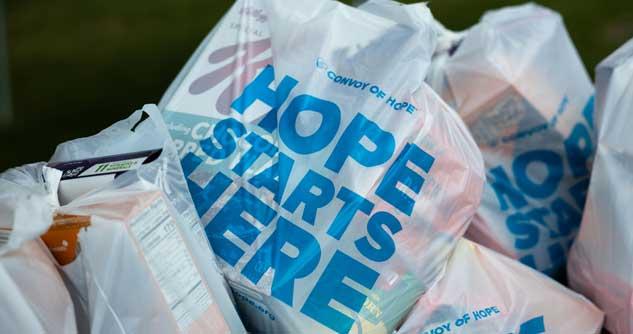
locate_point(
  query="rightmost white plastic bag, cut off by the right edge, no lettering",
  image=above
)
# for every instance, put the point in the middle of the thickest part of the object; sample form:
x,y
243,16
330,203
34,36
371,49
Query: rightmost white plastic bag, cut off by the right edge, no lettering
x,y
600,260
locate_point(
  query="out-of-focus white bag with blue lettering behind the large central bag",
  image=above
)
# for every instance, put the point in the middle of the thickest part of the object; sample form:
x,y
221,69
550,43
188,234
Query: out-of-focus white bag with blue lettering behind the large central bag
x,y
517,81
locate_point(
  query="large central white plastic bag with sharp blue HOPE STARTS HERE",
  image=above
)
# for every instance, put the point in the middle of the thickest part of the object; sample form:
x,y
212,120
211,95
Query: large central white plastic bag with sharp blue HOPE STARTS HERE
x,y
333,183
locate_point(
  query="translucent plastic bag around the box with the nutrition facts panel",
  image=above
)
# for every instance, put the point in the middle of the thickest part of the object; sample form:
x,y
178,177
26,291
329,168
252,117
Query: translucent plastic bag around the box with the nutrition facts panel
x,y
144,265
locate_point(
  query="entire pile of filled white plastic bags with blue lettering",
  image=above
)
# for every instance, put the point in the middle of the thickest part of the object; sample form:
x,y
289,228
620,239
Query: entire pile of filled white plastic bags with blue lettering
x,y
320,168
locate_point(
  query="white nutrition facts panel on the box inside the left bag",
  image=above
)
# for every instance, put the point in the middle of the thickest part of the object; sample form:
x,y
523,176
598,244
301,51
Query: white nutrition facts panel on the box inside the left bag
x,y
171,263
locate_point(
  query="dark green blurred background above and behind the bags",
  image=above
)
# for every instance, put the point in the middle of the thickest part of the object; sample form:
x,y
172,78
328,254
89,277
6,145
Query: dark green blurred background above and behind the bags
x,y
70,68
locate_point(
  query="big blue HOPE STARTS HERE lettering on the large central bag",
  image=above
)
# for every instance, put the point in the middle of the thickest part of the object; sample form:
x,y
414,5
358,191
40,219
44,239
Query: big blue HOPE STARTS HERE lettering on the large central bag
x,y
291,251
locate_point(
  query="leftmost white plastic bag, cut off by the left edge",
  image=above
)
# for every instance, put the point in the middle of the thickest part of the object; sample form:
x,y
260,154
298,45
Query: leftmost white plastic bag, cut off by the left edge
x,y
32,294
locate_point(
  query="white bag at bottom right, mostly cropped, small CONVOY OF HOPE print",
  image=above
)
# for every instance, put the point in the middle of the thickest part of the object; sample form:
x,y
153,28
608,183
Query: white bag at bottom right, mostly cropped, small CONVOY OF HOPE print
x,y
486,292
